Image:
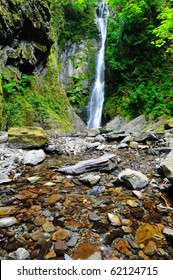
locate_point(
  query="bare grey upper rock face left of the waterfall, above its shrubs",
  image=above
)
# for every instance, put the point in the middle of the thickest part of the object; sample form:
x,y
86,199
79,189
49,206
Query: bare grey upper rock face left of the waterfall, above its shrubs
x,y
76,61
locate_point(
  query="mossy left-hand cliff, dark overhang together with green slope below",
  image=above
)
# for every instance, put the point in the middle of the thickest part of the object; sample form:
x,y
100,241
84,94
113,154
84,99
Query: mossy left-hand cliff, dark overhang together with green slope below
x,y
30,92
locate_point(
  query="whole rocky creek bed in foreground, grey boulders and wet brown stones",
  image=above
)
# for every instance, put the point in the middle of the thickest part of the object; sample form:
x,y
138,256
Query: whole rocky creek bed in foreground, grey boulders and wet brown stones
x,y
101,194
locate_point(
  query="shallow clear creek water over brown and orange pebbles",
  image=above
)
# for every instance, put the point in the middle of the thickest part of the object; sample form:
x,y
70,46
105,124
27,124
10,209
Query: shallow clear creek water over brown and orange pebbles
x,y
57,212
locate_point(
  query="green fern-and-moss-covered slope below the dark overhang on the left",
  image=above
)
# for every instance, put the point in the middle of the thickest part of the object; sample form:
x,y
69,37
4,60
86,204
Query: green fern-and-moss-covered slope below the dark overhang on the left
x,y
28,100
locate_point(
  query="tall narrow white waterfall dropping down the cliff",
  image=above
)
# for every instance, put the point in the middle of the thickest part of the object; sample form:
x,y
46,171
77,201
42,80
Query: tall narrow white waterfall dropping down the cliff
x,y
95,105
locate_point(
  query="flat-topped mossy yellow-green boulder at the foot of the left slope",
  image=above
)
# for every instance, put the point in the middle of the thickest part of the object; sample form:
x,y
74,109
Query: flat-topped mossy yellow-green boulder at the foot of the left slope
x,y
27,137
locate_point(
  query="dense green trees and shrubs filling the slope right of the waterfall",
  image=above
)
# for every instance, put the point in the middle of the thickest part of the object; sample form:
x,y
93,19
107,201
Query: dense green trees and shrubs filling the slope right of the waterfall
x,y
139,58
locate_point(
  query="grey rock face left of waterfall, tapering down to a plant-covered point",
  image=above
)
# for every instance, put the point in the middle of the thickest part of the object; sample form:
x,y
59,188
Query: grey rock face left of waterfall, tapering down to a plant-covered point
x,y
76,72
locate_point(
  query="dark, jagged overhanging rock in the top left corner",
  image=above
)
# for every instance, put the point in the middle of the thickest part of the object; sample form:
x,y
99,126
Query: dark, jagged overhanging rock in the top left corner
x,y
25,34
